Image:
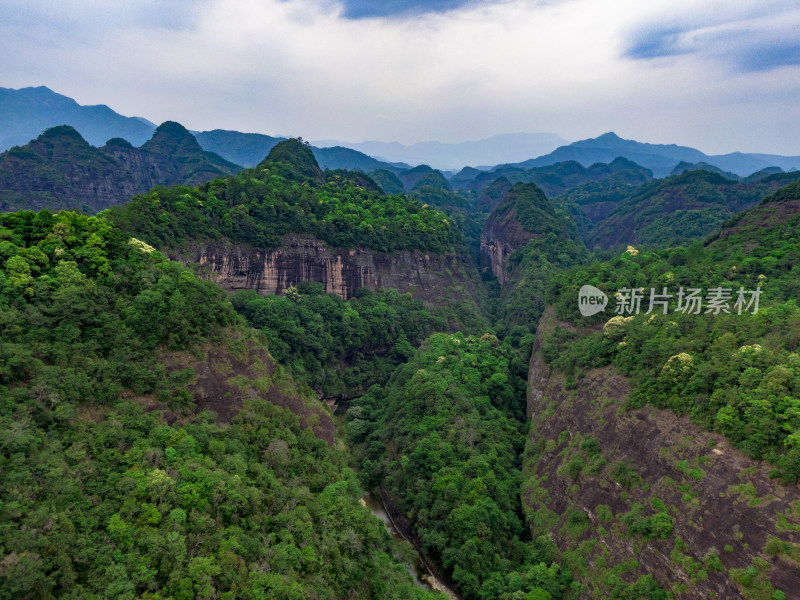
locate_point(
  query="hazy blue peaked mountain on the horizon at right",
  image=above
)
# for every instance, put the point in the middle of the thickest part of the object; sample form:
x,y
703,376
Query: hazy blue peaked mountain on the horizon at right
x,y
661,159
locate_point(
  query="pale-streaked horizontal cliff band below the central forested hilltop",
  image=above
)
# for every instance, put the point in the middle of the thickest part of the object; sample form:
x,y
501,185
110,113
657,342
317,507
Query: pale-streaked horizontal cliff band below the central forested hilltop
x,y
341,271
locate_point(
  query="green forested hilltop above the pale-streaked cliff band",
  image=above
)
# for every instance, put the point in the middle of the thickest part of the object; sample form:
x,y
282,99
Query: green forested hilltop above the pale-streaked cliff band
x,y
288,193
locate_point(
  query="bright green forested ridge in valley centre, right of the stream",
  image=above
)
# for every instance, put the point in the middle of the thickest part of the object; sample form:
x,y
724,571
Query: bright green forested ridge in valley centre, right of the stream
x,y
445,438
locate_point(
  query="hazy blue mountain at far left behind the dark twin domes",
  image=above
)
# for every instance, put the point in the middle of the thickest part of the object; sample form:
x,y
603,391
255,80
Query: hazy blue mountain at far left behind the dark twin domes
x,y
26,112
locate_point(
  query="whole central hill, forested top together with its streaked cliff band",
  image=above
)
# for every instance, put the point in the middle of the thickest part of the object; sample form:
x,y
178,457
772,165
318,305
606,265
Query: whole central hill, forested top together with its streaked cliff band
x,y
264,231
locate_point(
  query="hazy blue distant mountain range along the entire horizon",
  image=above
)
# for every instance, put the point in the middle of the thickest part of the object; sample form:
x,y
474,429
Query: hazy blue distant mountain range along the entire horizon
x,y
26,112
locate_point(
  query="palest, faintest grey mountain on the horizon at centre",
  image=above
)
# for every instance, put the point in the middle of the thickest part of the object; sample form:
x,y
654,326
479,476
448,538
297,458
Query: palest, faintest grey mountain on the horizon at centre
x,y
504,148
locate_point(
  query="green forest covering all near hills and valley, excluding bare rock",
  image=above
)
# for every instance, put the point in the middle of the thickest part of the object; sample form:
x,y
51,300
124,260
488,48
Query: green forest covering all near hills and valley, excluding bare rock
x,y
165,439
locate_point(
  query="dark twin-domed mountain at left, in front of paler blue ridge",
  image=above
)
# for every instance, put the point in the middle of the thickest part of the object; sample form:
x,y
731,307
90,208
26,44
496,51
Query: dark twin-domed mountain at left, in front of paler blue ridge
x,y
60,169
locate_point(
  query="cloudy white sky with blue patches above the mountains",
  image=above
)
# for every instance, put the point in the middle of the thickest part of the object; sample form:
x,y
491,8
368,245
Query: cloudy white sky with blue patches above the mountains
x,y
716,75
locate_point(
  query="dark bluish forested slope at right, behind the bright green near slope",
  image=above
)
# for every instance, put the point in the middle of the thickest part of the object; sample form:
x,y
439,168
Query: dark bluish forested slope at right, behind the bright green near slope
x,y
679,209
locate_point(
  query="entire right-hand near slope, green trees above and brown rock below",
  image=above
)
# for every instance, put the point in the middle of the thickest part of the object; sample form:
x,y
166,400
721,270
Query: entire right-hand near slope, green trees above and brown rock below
x,y
627,466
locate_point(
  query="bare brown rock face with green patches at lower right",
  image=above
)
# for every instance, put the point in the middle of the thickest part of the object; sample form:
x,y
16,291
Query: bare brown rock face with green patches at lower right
x,y
734,531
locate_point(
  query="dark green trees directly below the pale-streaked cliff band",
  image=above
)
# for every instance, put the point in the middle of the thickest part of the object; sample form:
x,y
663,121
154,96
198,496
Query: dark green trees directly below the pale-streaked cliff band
x,y
339,347
